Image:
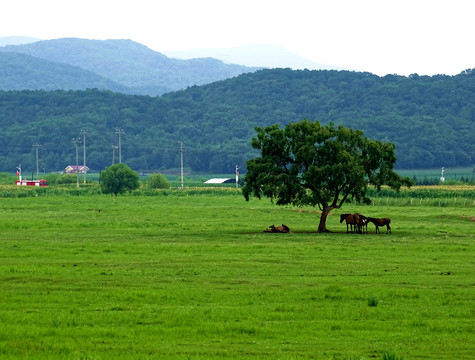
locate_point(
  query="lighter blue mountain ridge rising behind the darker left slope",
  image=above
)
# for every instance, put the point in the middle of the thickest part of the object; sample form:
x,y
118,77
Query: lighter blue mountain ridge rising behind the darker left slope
x,y
131,65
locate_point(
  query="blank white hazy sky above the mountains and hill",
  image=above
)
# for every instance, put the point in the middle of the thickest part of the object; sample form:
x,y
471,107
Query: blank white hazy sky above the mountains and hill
x,y
380,36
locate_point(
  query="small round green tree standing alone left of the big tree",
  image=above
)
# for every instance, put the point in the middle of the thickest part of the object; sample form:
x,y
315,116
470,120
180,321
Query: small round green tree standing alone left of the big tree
x,y
119,178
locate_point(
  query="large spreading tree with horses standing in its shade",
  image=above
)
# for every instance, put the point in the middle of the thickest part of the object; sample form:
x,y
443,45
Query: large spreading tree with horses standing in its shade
x,y
309,164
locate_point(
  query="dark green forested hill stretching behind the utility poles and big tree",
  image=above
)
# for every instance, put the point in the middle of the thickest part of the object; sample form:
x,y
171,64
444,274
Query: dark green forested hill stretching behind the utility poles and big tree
x,y
430,119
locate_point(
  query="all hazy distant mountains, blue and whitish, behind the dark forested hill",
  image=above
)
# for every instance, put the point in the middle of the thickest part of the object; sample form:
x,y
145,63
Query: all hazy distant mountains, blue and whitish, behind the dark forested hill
x,y
129,67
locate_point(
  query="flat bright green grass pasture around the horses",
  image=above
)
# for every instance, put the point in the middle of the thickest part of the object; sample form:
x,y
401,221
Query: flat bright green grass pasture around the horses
x,y
191,275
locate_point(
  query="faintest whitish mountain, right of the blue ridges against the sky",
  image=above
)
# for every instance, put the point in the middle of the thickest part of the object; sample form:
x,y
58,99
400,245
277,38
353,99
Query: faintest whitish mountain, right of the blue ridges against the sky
x,y
264,55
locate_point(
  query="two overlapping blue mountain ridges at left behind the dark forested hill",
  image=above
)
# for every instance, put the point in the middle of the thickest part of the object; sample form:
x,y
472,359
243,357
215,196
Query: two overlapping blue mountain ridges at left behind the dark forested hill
x,y
117,65
